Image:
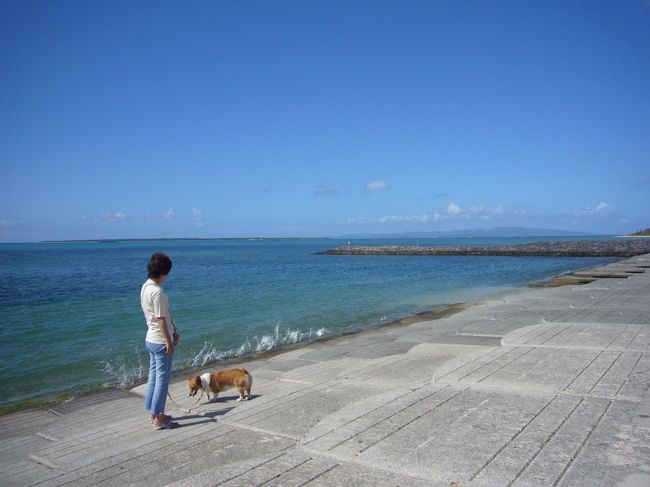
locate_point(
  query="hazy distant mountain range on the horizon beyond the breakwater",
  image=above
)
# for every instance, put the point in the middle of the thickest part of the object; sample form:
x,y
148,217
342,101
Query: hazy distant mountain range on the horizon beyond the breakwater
x,y
477,232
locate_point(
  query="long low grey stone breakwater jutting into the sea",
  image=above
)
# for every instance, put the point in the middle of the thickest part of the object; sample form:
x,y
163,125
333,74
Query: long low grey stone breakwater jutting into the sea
x,y
582,248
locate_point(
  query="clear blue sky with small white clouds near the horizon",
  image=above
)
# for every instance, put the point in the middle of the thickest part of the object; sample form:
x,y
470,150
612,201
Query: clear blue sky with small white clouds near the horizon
x,y
308,118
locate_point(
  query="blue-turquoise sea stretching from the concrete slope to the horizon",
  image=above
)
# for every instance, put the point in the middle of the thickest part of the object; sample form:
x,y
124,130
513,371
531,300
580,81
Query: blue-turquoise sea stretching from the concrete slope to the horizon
x,y
70,317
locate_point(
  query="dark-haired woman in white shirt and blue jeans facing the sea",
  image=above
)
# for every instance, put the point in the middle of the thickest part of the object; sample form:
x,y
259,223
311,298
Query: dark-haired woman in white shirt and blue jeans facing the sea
x,y
160,340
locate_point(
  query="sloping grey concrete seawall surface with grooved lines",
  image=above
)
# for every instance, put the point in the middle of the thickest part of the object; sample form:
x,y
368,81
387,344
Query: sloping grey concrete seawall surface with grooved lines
x,y
544,387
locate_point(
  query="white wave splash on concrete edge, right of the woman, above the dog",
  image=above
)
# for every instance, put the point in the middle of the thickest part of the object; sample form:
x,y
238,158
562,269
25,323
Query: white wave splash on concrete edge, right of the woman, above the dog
x,y
261,343
